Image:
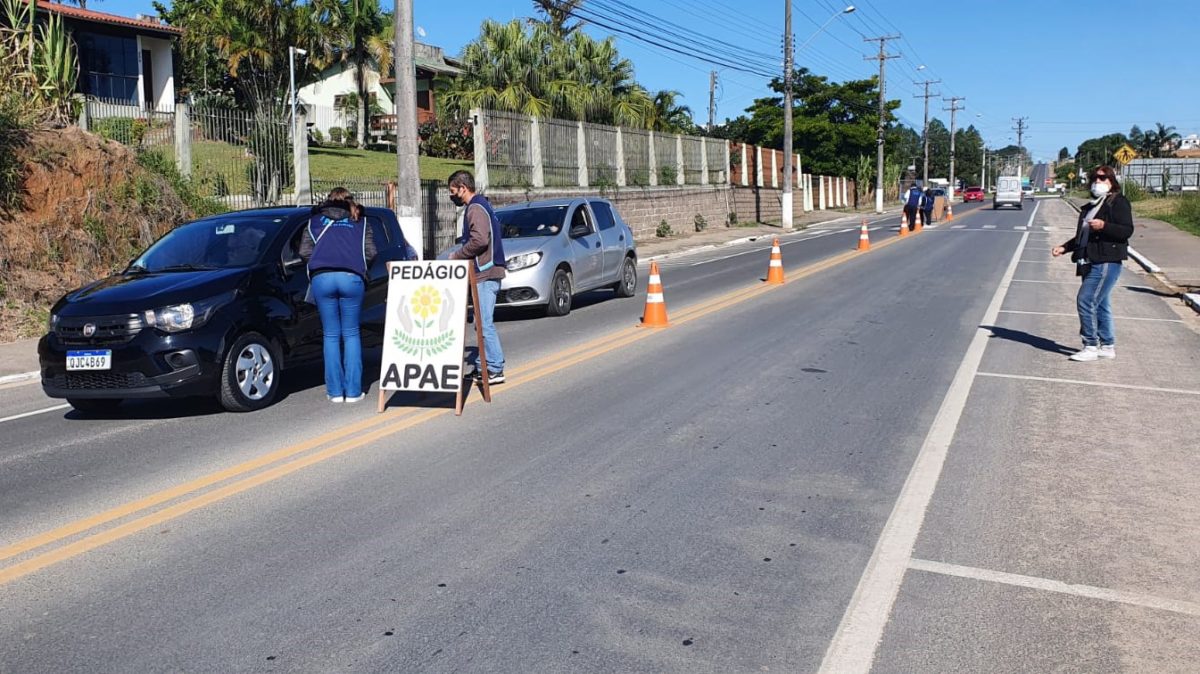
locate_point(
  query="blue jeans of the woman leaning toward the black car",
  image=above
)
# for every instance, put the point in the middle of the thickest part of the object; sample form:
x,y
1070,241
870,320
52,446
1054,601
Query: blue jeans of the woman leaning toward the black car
x,y
339,297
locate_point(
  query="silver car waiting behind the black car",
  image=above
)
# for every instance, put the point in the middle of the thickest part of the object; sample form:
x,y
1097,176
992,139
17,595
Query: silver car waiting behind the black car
x,y
557,249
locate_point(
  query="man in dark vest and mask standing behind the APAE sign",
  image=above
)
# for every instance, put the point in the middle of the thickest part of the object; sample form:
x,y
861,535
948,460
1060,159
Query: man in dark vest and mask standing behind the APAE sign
x,y
482,243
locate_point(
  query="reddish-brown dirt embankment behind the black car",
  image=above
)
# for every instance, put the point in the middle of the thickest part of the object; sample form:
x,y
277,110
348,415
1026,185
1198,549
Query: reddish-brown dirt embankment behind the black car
x,y
88,207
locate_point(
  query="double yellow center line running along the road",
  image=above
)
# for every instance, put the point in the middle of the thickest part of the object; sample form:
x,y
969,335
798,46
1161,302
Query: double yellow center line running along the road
x,y
363,435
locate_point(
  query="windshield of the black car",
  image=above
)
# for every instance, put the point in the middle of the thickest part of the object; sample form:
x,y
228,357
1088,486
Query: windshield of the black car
x,y
209,244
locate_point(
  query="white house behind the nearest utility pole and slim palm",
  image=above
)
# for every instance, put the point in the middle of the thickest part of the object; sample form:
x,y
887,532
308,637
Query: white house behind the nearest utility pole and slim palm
x,y
323,99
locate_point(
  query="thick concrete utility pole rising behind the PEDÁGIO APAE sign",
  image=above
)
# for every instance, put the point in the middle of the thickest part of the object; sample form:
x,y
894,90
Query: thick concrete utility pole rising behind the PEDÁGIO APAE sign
x,y
409,178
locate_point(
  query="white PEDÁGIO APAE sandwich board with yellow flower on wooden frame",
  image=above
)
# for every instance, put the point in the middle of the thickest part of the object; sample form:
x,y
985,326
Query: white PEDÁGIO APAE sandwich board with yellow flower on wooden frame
x,y
425,329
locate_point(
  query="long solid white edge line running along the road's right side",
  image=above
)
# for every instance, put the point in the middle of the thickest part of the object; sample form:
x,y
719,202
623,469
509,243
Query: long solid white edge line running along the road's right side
x,y
853,649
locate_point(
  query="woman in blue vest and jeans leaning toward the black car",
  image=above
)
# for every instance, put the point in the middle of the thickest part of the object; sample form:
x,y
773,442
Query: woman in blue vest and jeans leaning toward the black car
x,y
339,248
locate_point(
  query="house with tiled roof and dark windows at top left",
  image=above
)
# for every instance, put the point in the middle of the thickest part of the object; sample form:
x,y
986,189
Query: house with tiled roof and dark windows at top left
x,y
123,61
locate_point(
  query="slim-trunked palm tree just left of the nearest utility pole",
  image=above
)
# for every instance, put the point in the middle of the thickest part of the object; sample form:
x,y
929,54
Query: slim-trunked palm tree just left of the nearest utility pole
x,y
361,31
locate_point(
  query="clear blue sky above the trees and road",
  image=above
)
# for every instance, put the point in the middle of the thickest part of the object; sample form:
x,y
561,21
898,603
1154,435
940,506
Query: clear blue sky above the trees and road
x,y
1075,70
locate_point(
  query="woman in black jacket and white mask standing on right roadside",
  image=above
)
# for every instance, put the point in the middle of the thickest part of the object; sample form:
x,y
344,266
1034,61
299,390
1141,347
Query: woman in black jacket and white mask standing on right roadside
x,y
1101,243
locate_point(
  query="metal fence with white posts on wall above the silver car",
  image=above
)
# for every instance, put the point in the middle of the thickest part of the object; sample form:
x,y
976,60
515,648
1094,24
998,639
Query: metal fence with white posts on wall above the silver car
x,y
572,154
